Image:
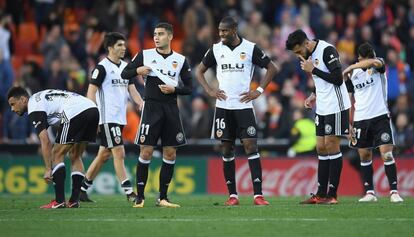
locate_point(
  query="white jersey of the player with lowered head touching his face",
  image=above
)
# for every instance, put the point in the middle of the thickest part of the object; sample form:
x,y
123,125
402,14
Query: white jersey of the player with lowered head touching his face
x,y
330,99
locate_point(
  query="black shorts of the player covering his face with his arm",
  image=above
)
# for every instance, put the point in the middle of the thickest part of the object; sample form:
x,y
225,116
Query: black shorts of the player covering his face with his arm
x,y
372,133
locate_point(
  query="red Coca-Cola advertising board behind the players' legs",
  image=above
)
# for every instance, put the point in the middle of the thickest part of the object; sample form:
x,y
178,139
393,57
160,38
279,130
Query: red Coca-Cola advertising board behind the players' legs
x,y
298,177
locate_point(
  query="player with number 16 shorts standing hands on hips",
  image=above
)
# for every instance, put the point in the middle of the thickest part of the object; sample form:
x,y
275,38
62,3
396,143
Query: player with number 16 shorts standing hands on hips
x,y
235,59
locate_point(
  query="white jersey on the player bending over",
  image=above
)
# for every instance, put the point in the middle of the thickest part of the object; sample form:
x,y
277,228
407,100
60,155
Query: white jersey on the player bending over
x,y
59,106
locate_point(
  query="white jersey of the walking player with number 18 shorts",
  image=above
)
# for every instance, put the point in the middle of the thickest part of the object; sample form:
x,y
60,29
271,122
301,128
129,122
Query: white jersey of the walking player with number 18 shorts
x,y
112,95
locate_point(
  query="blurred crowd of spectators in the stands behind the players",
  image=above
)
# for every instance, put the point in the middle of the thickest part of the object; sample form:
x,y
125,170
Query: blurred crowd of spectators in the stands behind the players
x,y
56,44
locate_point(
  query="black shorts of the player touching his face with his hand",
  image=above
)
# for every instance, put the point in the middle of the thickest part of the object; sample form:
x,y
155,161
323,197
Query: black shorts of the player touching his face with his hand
x,y
332,124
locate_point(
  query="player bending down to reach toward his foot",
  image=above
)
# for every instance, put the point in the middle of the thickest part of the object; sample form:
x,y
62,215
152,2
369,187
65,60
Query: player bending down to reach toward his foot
x,y
77,120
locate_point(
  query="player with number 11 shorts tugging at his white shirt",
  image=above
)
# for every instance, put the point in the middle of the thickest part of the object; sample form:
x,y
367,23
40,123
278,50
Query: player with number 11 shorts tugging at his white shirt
x,y
162,69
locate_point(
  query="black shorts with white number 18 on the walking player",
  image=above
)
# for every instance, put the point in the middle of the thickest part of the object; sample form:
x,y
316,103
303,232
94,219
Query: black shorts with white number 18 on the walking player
x,y
110,134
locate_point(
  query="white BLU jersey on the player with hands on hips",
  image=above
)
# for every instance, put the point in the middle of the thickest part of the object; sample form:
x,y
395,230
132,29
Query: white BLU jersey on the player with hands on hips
x,y
234,73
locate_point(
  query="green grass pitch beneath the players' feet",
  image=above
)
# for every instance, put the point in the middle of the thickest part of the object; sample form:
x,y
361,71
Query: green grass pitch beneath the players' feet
x,y
205,215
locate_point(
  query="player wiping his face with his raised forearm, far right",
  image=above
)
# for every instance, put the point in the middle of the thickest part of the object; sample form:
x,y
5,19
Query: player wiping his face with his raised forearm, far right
x,y
371,123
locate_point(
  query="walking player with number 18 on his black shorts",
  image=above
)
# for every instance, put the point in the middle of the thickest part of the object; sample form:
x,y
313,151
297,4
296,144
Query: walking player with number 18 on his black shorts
x,y
110,91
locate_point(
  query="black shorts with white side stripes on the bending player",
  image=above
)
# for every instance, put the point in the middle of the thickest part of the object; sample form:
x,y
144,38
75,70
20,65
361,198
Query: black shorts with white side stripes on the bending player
x,y
81,128
